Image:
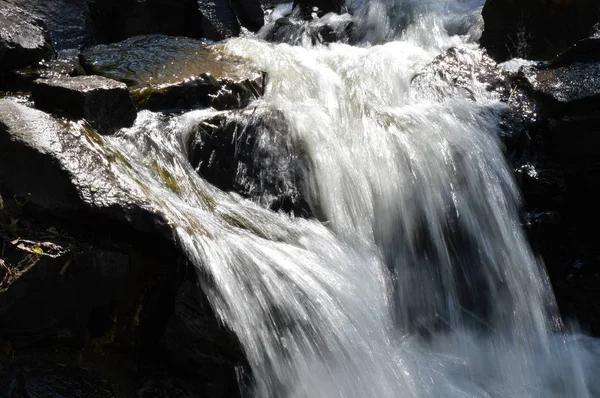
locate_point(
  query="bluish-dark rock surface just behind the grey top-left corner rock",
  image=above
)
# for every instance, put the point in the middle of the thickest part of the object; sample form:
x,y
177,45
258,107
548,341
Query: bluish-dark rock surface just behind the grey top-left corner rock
x,y
69,21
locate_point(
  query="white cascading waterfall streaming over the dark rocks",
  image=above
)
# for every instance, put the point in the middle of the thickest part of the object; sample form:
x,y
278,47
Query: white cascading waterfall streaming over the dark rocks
x,y
418,281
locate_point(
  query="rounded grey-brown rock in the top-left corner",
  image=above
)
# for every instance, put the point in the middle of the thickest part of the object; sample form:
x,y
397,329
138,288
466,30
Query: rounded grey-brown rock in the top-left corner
x,y
24,40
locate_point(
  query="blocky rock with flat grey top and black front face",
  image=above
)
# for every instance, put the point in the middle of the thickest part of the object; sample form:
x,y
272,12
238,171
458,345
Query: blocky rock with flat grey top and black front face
x,y
103,102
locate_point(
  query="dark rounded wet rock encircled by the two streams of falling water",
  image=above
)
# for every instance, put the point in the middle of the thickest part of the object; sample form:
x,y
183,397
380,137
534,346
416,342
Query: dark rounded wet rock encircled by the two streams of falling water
x,y
249,152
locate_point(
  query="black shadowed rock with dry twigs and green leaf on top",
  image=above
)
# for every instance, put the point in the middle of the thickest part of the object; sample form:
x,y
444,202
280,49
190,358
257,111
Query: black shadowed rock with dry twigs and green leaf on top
x,y
58,293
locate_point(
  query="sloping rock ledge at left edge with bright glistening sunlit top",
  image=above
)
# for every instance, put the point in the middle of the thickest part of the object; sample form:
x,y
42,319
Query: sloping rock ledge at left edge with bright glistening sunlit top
x,y
70,172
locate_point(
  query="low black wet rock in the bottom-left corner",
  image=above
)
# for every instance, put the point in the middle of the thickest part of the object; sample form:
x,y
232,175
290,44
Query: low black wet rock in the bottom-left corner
x,y
36,379
